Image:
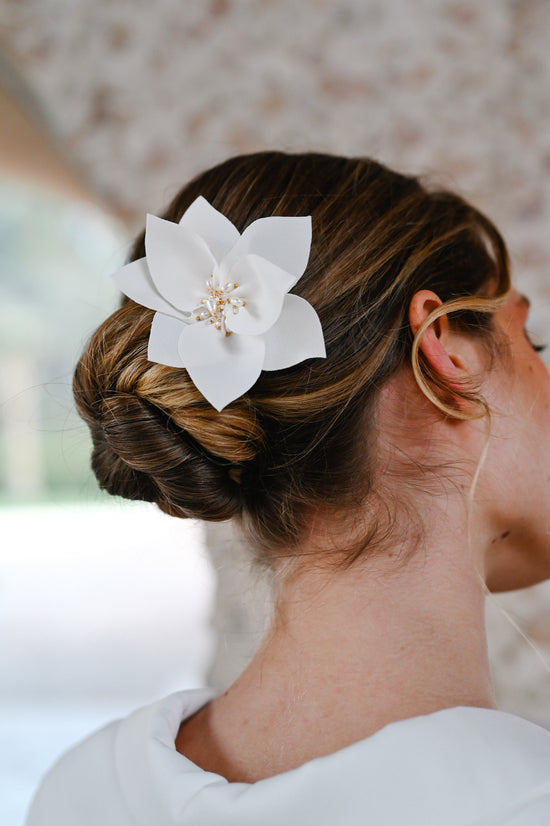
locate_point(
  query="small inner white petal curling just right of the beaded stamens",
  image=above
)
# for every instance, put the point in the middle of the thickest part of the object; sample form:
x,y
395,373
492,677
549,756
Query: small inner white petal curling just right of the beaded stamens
x,y
262,285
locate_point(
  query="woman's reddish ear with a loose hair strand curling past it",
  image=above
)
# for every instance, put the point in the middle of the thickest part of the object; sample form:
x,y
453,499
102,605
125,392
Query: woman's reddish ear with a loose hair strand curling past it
x,y
451,354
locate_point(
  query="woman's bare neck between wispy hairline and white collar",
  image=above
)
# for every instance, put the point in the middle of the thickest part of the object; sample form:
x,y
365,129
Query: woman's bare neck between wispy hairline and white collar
x,y
348,653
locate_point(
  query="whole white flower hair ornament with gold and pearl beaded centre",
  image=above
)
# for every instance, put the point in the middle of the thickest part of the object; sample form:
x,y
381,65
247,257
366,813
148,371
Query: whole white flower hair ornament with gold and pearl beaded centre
x,y
221,298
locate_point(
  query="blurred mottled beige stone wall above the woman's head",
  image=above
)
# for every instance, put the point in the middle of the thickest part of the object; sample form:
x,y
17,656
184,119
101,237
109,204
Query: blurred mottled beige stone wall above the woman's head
x,y
146,94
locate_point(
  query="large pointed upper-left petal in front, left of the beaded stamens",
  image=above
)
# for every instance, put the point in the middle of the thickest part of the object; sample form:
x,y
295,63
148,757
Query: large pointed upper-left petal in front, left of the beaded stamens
x,y
179,262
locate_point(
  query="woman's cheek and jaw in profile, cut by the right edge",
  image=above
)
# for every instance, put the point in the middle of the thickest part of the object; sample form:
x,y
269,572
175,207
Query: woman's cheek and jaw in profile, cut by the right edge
x,y
517,468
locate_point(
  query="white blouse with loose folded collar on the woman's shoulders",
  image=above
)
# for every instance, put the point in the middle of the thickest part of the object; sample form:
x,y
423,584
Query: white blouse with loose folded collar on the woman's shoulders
x,y
457,767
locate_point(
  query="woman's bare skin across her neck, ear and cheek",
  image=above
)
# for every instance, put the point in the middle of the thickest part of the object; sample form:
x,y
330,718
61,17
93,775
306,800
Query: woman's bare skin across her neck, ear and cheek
x,y
401,633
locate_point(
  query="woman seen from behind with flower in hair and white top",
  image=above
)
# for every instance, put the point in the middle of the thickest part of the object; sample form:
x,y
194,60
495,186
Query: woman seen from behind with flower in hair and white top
x,y
387,486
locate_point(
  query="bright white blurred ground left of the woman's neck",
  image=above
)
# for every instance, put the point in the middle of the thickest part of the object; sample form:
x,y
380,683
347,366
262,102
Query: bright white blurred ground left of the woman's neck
x,y
102,607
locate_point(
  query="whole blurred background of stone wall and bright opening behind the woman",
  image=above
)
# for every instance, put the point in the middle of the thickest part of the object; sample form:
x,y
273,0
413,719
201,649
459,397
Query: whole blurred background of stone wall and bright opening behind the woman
x,y
106,109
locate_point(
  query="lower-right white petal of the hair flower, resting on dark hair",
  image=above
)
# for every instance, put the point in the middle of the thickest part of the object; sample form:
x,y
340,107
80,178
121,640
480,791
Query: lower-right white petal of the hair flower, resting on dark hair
x,y
296,336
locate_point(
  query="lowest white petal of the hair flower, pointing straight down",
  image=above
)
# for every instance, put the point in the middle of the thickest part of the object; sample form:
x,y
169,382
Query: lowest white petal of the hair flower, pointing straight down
x,y
221,367
